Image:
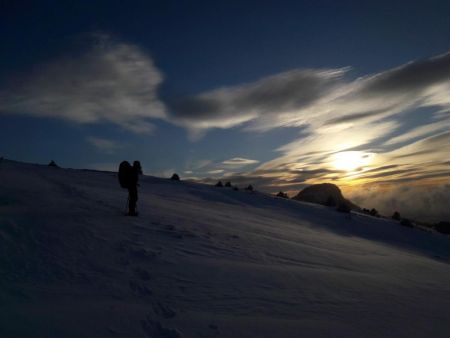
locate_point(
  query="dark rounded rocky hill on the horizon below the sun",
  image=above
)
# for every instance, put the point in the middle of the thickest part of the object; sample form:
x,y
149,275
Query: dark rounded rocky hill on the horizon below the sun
x,y
324,194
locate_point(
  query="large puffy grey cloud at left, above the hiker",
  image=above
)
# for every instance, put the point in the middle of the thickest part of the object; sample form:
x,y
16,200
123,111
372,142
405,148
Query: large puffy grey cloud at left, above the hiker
x,y
109,82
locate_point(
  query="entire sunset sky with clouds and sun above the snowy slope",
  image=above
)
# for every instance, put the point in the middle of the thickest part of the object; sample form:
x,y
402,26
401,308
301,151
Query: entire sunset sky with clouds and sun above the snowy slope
x,y
276,94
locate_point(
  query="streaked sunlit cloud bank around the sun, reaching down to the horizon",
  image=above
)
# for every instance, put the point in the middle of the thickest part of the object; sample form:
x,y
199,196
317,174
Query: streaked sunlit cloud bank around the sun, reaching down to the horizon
x,y
380,119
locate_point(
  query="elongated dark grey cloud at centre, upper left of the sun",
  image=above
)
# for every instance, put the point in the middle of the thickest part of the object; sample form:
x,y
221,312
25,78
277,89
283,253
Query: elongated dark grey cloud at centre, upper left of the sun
x,y
232,106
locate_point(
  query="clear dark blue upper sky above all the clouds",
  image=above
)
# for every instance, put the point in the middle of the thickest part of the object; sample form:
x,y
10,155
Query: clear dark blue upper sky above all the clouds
x,y
200,45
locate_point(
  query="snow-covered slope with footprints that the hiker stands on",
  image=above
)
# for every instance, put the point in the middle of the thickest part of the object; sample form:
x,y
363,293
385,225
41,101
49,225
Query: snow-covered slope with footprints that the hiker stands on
x,y
202,261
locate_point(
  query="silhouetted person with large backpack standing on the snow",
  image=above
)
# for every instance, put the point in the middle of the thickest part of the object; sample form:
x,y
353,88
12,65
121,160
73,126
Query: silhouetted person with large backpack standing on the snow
x,y
128,179
